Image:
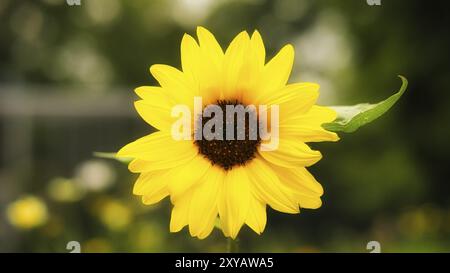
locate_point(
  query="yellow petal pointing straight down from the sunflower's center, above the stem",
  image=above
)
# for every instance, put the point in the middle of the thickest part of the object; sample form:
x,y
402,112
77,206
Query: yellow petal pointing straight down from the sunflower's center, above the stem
x,y
234,201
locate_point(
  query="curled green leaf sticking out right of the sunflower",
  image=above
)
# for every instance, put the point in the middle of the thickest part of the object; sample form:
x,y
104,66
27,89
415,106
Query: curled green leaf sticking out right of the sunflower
x,y
350,118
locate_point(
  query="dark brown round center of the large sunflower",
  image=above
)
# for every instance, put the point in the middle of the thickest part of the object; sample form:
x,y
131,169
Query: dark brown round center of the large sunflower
x,y
227,152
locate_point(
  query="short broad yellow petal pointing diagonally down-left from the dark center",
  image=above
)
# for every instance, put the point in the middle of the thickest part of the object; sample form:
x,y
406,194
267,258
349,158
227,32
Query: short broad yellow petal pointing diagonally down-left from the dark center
x,y
183,178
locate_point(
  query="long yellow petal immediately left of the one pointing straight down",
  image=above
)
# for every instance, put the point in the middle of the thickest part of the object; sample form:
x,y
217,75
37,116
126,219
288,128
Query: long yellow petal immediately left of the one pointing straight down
x,y
204,200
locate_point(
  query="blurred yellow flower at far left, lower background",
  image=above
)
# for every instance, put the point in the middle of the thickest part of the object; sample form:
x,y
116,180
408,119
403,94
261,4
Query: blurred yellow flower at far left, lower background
x,y
27,213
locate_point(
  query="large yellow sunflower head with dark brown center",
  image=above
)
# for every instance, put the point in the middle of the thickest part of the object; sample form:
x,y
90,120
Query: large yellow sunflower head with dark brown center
x,y
230,182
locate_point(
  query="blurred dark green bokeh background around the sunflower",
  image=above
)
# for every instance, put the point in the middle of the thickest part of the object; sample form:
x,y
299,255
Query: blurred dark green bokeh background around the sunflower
x,y
67,75
